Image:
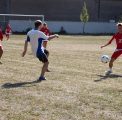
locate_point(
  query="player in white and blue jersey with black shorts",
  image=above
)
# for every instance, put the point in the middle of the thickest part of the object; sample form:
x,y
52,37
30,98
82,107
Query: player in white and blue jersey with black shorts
x,y
36,39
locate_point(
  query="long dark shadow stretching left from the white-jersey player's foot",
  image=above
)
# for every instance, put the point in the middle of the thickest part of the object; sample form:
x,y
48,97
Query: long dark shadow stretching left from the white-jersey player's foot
x,y
20,84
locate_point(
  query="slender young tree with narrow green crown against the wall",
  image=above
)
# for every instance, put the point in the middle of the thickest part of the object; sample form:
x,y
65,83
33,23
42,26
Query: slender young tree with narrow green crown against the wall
x,y
84,16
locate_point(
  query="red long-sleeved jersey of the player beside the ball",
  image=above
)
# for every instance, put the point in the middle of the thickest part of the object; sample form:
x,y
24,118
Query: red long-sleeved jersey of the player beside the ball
x,y
118,38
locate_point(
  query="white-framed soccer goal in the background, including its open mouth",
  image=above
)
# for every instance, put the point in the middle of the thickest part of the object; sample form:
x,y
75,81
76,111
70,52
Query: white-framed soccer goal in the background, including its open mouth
x,y
19,22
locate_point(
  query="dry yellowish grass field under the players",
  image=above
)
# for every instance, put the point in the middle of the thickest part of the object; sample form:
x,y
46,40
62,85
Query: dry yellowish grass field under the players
x,y
75,89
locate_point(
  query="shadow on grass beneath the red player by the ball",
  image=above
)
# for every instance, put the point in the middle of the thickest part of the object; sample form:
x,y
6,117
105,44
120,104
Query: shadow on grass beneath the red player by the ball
x,y
104,77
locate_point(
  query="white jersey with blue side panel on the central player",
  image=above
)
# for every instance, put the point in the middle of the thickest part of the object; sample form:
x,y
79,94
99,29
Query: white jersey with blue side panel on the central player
x,y
36,38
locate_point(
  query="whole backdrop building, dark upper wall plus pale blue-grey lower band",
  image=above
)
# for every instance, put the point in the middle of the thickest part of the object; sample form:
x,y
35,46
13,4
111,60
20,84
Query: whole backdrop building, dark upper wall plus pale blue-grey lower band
x,y
63,13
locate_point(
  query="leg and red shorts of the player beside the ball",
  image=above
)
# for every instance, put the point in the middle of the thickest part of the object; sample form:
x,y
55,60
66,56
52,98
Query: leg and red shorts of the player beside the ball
x,y
114,56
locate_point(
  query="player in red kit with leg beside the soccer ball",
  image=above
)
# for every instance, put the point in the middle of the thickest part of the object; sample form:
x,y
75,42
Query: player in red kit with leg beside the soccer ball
x,y
118,51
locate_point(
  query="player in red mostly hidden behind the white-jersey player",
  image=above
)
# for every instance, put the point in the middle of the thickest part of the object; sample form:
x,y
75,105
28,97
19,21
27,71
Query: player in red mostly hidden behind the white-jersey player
x,y
46,31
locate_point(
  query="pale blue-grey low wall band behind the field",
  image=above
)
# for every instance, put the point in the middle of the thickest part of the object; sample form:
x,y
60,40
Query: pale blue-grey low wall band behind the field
x,y
69,27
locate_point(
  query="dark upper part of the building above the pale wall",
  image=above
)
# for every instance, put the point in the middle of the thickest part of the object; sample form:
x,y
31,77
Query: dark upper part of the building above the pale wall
x,y
64,10
